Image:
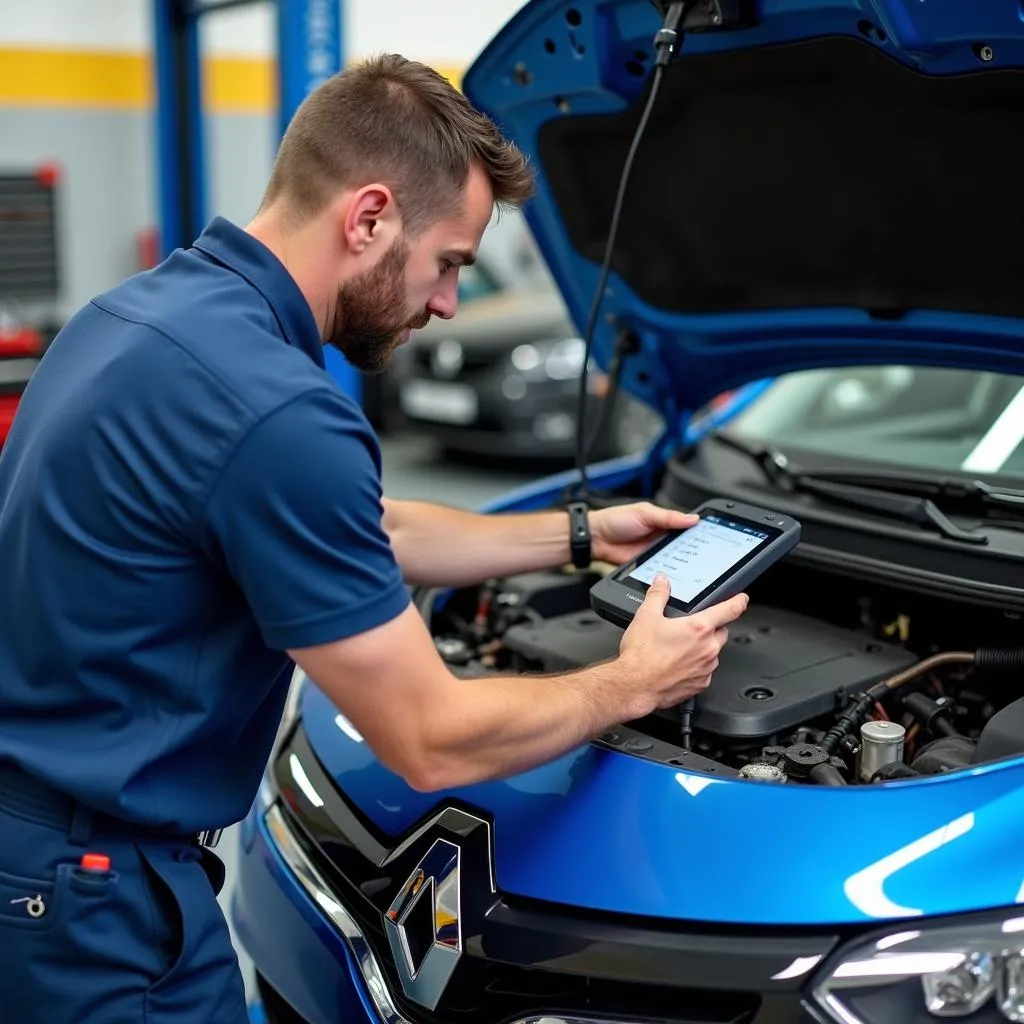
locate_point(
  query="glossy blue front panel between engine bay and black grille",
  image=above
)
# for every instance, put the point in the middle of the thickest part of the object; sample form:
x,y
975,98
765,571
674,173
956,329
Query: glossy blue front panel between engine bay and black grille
x,y
610,832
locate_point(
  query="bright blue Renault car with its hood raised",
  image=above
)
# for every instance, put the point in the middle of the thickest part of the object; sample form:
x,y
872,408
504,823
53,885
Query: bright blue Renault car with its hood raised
x,y
824,220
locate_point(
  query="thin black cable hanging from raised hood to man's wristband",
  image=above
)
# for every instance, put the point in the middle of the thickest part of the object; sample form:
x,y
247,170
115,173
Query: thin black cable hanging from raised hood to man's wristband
x,y
667,41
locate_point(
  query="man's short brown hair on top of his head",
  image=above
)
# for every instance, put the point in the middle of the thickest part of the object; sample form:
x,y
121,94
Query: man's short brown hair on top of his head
x,y
402,123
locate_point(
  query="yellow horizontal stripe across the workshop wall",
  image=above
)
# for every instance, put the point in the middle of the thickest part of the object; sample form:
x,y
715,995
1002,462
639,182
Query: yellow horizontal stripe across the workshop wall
x,y
77,79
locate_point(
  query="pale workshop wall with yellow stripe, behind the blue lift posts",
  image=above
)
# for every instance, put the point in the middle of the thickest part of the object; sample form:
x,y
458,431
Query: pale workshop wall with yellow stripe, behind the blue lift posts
x,y
76,88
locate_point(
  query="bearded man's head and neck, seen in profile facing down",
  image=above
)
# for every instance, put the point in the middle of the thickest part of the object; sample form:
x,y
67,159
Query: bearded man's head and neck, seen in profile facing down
x,y
383,186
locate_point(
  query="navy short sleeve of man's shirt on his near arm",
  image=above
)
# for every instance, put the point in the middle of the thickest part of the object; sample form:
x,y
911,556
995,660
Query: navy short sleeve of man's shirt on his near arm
x,y
296,519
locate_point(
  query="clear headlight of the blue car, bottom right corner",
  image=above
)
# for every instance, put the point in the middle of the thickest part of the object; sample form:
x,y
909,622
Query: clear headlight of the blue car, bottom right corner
x,y
974,970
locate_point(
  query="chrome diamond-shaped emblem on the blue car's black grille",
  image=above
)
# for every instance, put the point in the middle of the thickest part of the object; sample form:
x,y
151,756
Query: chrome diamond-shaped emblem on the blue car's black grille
x,y
424,925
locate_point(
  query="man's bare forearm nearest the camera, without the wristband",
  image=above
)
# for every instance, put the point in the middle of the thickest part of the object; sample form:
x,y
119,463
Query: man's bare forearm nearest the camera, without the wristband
x,y
502,727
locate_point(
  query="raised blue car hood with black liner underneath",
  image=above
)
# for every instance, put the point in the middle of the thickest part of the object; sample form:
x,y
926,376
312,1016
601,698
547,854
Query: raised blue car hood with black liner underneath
x,y
823,183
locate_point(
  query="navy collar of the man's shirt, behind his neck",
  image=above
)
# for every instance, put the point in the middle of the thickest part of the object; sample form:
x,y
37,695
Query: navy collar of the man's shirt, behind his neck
x,y
249,259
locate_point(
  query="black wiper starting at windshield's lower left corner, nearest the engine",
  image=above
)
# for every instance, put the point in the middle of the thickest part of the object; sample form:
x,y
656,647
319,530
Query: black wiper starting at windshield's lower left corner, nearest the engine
x,y
912,508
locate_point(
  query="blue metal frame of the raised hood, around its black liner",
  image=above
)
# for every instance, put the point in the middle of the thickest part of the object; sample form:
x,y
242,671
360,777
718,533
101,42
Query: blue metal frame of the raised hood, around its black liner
x,y
691,359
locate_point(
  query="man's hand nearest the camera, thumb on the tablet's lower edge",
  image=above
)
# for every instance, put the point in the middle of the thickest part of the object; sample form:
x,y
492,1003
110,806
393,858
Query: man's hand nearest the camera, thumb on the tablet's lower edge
x,y
667,661
